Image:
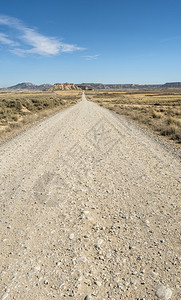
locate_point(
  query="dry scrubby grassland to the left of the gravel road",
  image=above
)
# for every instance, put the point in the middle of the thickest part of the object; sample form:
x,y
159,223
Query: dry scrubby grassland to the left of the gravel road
x,y
19,110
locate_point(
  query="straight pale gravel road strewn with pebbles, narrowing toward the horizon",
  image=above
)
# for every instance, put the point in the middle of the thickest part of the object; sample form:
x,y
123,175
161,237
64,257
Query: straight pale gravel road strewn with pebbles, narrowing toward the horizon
x,y
89,210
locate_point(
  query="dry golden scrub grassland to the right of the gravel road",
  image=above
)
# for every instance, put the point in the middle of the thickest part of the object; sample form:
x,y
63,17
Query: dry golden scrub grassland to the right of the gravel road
x,y
158,110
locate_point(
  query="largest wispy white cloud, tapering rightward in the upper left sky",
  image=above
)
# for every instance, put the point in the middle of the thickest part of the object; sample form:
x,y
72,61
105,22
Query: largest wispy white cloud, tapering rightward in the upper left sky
x,y
30,41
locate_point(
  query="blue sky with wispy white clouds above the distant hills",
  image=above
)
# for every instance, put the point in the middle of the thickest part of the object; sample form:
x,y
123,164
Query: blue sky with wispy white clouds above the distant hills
x,y
104,41
